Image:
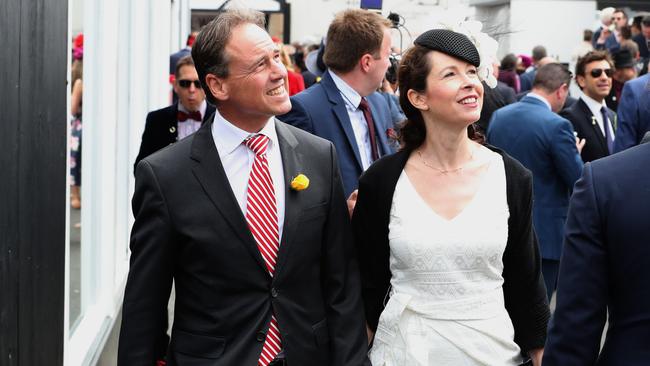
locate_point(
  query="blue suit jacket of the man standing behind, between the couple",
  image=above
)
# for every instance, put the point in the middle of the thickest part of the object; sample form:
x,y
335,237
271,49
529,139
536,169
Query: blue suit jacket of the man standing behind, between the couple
x,y
321,111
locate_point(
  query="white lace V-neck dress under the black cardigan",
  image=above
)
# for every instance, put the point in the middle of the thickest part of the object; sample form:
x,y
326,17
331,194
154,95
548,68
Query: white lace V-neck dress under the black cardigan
x,y
446,305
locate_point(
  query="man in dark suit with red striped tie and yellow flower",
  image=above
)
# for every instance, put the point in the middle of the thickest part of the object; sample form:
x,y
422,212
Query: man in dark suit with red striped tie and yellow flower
x,y
248,217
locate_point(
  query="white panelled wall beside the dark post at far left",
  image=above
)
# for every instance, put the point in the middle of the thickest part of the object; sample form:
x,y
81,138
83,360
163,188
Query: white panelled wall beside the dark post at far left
x,y
126,72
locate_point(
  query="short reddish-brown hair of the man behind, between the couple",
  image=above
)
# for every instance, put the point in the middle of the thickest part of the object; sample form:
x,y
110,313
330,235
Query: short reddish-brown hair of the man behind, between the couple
x,y
352,34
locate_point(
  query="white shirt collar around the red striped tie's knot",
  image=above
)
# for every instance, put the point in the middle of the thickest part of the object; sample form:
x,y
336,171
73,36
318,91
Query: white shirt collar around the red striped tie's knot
x,y
229,137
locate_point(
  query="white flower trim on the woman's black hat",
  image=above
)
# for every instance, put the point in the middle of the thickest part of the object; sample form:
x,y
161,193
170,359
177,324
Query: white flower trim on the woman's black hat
x,y
486,46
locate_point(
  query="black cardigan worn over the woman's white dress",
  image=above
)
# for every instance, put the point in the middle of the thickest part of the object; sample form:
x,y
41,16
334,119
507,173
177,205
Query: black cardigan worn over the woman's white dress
x,y
523,287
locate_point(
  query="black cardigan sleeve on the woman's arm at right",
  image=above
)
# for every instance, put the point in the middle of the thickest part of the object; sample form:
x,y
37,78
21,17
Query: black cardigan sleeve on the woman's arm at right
x,y
523,288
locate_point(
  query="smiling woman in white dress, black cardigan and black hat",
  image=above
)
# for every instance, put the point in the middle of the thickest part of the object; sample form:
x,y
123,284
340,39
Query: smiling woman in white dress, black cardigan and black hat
x,y
448,256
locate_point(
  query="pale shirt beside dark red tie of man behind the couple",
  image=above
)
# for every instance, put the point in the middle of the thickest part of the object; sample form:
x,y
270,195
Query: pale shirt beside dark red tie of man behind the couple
x,y
359,124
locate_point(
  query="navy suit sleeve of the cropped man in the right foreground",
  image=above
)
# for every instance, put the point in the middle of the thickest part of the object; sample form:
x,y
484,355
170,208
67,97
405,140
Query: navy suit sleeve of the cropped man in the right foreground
x,y
577,325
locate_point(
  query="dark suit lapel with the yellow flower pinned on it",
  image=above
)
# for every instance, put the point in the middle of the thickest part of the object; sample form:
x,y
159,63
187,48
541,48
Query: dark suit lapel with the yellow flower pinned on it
x,y
292,163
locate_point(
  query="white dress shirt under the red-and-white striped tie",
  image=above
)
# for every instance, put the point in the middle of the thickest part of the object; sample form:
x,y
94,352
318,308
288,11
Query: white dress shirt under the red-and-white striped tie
x,y
237,160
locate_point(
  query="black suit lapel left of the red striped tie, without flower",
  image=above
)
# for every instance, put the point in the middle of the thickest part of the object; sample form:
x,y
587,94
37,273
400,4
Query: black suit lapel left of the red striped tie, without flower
x,y
212,177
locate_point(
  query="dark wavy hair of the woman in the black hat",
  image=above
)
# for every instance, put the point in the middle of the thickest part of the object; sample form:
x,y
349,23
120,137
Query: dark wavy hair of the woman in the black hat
x,y
412,74
